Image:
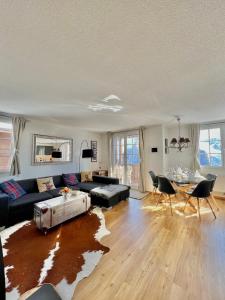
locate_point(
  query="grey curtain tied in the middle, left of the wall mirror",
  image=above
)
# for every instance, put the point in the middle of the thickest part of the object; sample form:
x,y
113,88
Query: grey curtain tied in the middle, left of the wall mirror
x,y
19,124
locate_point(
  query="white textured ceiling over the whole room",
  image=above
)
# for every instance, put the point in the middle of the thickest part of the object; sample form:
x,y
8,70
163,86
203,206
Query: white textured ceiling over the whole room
x,y
160,57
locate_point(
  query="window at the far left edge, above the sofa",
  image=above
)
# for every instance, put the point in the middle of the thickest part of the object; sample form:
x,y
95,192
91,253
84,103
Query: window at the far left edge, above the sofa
x,y
5,145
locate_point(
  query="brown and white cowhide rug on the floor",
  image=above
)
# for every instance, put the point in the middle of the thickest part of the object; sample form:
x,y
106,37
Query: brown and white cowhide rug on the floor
x,y
66,255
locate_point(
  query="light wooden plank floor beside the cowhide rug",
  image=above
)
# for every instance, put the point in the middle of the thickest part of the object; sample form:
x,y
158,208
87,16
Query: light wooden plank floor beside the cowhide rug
x,y
154,255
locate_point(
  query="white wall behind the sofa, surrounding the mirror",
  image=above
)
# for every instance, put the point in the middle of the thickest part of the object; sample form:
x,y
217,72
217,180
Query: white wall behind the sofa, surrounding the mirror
x,y
33,126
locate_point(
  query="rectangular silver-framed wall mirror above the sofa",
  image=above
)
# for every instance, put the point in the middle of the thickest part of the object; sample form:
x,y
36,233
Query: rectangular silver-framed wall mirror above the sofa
x,y
51,149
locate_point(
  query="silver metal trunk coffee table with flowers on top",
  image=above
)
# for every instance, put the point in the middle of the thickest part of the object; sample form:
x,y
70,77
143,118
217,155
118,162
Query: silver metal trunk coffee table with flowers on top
x,y
55,211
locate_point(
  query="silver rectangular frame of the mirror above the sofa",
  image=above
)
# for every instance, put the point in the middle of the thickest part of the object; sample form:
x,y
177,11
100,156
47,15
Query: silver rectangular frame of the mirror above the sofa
x,y
35,136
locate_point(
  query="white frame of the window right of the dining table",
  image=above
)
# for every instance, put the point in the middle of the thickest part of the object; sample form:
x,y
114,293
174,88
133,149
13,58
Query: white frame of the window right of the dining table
x,y
221,126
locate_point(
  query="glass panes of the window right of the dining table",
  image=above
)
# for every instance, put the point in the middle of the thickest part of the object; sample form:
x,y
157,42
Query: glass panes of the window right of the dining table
x,y
210,147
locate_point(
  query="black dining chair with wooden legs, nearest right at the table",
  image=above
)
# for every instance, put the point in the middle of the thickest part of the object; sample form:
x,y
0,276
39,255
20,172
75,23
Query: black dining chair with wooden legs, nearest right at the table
x,y
201,191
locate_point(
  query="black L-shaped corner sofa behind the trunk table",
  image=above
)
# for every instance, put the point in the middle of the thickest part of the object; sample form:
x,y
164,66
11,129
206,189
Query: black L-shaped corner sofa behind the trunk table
x,y
14,211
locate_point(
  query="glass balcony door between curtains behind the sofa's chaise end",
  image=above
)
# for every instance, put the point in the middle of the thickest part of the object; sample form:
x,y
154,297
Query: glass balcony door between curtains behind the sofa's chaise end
x,y
125,158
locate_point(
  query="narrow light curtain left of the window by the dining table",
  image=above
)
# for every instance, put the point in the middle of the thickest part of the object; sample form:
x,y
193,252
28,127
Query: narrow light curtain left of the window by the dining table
x,y
194,134
